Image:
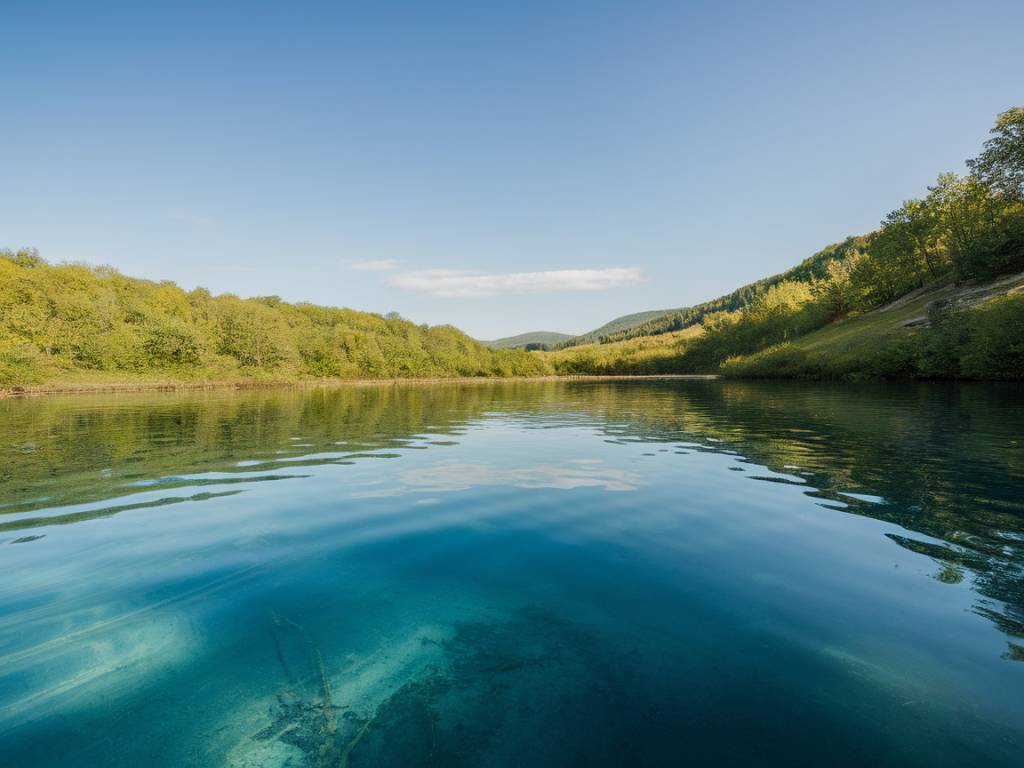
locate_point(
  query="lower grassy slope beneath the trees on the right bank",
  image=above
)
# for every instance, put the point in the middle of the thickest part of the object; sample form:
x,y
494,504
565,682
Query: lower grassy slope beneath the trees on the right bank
x,y
973,331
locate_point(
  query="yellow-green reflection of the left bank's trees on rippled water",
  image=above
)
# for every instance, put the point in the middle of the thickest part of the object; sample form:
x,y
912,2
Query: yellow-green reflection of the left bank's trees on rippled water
x,y
62,451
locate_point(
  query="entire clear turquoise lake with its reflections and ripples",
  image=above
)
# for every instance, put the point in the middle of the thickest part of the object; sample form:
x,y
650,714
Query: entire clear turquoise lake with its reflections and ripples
x,y
515,575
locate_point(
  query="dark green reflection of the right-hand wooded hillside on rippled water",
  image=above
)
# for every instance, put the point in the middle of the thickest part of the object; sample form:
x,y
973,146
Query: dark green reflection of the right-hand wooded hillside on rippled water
x,y
947,460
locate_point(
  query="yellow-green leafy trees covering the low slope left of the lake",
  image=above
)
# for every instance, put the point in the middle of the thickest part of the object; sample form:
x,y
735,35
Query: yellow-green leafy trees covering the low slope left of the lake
x,y
59,321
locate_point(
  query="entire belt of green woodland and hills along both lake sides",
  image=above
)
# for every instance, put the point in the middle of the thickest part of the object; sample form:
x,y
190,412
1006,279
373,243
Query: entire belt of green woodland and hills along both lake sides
x,y
935,292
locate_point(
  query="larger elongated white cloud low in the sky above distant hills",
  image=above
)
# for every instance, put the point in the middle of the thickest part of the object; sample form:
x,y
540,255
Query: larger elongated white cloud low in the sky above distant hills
x,y
457,284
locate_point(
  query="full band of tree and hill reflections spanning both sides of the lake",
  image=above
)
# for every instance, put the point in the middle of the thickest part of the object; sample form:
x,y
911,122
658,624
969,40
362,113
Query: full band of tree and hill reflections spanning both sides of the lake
x,y
948,460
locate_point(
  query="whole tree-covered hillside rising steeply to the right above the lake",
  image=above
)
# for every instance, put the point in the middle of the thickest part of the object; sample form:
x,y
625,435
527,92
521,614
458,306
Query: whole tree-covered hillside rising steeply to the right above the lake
x,y
932,294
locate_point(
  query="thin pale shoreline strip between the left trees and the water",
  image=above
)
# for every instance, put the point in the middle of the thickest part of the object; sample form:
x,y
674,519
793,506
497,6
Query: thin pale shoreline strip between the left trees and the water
x,y
40,391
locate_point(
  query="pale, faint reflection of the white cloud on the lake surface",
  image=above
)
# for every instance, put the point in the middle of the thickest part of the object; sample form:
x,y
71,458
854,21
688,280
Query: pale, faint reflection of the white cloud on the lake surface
x,y
463,477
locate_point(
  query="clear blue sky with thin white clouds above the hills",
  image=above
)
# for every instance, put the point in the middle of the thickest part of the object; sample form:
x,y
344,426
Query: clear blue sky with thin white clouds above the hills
x,y
503,167
